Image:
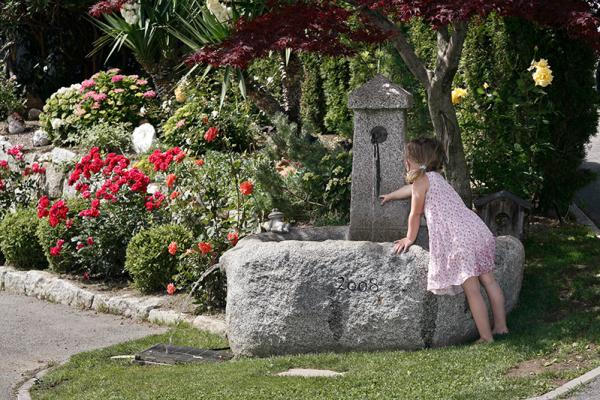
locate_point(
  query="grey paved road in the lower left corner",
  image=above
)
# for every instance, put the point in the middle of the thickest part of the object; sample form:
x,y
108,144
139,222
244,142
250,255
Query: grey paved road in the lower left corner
x,y
34,332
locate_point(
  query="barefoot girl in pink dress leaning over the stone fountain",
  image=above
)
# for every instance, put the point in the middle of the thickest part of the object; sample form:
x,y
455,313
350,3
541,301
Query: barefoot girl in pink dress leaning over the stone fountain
x,y
461,246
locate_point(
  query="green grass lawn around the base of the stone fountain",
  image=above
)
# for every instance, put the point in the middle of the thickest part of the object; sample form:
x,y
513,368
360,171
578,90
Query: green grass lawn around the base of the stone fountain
x,y
555,332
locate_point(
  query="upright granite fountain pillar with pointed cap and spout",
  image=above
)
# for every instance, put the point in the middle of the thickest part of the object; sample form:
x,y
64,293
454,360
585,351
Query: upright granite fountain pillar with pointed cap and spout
x,y
379,116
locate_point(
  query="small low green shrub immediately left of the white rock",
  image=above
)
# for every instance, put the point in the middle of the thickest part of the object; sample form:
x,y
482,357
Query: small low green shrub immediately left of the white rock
x,y
110,137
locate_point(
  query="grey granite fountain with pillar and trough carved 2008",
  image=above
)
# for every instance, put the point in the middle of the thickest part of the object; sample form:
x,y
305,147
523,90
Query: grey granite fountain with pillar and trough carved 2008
x,y
341,288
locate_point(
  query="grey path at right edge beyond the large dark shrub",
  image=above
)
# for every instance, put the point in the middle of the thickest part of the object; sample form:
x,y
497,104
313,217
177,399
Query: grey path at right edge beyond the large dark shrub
x,y
588,198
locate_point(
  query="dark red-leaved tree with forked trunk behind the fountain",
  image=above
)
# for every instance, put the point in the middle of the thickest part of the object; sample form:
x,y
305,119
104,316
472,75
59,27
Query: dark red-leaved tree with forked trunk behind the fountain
x,y
335,27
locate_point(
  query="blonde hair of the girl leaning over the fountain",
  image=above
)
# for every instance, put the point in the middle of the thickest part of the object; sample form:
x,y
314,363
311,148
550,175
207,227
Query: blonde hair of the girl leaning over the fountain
x,y
428,153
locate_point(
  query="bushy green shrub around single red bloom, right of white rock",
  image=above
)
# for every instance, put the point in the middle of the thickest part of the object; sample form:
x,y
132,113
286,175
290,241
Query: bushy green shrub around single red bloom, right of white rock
x,y
235,120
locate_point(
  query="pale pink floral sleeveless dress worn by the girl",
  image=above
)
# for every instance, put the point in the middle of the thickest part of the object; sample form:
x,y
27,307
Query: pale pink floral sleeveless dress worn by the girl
x,y
460,244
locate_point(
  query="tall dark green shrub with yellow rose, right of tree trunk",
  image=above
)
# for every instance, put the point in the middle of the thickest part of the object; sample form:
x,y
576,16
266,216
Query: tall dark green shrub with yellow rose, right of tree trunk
x,y
519,136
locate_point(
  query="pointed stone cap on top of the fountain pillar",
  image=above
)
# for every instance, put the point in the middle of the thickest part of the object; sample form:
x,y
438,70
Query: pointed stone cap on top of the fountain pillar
x,y
379,93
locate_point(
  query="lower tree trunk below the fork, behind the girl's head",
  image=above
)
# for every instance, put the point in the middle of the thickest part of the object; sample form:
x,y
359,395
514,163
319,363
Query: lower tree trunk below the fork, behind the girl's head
x,y
447,132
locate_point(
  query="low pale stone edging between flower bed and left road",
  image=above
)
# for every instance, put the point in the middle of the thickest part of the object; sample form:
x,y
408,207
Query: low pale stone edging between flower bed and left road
x,y
46,286
